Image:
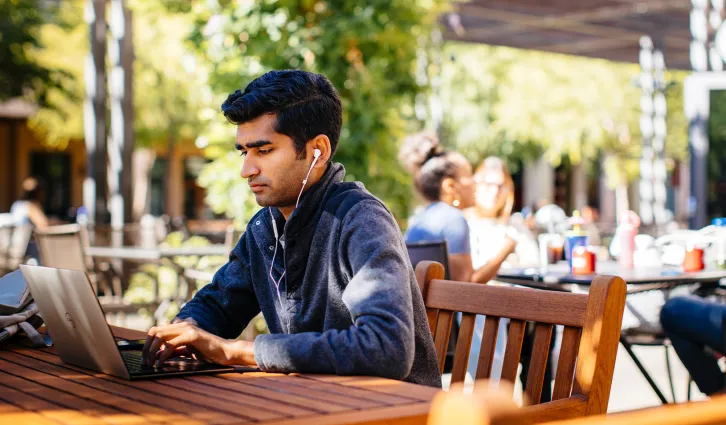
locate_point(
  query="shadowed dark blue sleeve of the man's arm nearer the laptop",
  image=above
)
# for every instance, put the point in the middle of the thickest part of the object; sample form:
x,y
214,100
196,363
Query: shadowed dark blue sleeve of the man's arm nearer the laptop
x,y
226,305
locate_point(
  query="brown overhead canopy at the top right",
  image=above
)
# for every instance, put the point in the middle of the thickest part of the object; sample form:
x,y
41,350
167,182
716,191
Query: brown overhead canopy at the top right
x,y
606,29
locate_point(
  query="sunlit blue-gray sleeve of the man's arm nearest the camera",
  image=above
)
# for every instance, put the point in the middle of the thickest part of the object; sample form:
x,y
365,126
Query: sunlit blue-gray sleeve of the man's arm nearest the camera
x,y
381,340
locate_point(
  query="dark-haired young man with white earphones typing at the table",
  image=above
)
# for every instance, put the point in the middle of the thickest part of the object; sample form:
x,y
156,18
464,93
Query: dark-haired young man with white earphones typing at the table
x,y
323,260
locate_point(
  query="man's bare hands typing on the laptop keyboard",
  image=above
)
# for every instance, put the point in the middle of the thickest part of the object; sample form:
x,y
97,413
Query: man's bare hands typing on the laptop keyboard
x,y
185,337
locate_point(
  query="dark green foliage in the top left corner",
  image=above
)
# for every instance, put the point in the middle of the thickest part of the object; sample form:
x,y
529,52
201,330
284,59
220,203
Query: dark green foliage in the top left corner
x,y
22,75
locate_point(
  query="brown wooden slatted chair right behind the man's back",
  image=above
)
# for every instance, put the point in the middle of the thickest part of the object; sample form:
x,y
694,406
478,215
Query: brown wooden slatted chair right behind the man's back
x,y
589,344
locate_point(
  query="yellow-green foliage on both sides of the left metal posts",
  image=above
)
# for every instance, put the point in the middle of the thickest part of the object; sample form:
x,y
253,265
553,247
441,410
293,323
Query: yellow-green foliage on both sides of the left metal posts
x,y
169,88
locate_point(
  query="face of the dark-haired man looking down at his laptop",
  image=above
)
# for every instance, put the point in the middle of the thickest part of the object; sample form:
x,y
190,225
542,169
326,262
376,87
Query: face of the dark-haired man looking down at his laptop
x,y
271,163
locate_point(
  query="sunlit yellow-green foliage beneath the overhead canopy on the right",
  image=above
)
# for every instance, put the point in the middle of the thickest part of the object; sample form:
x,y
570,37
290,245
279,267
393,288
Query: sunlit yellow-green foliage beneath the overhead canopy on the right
x,y
522,104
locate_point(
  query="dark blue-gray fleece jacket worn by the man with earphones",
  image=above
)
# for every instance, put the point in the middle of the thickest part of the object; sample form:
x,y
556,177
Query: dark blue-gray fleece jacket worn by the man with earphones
x,y
349,303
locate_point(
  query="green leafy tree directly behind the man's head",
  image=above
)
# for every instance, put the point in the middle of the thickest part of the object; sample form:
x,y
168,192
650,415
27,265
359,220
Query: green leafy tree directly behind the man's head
x,y
367,49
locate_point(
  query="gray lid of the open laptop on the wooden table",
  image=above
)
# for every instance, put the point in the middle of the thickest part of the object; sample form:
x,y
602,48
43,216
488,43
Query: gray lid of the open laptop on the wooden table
x,y
74,319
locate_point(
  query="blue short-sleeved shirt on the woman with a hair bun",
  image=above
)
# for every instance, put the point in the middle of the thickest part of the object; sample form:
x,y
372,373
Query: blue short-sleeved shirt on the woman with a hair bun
x,y
441,222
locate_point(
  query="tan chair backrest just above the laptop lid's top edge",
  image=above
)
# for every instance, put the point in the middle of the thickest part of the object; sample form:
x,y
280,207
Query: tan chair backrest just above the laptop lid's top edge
x,y
63,247
